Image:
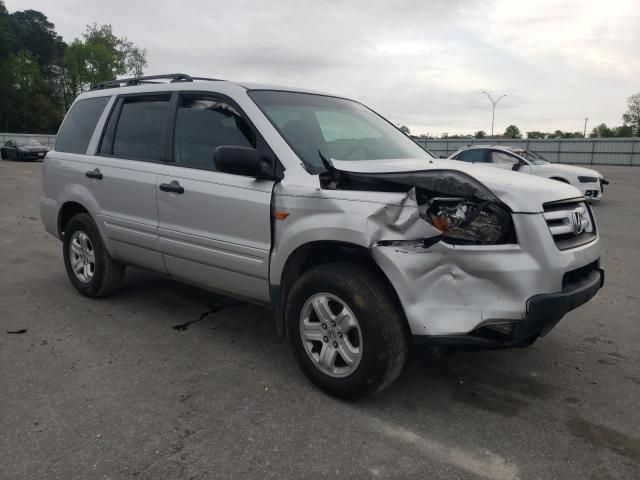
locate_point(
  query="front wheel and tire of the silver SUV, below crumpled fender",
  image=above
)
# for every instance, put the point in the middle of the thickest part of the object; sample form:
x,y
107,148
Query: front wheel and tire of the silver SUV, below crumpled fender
x,y
379,336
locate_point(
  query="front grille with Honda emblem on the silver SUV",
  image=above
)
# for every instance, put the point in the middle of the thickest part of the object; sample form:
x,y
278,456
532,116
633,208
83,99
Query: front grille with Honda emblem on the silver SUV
x,y
571,224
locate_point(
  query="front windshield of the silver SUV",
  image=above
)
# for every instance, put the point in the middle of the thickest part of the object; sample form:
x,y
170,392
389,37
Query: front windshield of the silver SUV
x,y
318,125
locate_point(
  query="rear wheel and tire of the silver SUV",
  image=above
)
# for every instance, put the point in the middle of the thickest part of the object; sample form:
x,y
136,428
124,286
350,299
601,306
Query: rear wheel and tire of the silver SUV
x,y
101,278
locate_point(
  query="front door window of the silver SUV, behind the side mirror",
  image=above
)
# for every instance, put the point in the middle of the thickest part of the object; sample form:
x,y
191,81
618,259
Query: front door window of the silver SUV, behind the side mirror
x,y
204,123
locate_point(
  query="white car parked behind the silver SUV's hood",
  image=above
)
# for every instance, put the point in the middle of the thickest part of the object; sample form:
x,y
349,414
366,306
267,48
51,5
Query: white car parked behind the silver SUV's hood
x,y
588,181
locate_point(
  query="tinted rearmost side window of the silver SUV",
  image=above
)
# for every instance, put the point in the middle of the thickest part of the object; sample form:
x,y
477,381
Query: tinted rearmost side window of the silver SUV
x,y
78,126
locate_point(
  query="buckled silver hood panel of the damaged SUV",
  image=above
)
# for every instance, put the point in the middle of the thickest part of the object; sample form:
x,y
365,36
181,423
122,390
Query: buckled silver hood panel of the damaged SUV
x,y
522,193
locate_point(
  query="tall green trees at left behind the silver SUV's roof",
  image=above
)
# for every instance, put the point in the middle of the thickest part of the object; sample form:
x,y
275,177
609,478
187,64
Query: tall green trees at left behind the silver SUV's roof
x,y
40,74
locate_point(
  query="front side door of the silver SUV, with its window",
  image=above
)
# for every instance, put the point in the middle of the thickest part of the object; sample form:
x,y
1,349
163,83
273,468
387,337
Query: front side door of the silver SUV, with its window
x,y
214,227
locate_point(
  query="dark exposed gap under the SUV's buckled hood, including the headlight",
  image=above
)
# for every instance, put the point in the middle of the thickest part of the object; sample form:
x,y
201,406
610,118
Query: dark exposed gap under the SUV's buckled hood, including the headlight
x,y
463,210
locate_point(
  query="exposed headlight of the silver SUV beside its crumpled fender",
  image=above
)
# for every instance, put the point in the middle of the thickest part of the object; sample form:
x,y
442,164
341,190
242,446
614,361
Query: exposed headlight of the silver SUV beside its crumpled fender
x,y
466,221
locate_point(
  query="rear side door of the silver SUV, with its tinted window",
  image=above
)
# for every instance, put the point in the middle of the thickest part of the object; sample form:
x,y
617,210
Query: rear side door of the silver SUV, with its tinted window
x,y
123,179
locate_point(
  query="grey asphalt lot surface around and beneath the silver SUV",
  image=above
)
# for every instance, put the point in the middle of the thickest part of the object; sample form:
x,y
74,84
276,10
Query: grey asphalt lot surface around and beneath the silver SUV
x,y
111,389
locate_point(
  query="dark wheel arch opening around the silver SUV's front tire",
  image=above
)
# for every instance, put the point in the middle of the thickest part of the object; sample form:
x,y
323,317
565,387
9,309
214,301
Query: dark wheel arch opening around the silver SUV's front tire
x,y
315,253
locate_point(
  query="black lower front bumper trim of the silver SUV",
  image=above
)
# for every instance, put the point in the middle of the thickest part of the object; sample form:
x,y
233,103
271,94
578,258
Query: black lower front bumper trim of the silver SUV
x,y
543,313
